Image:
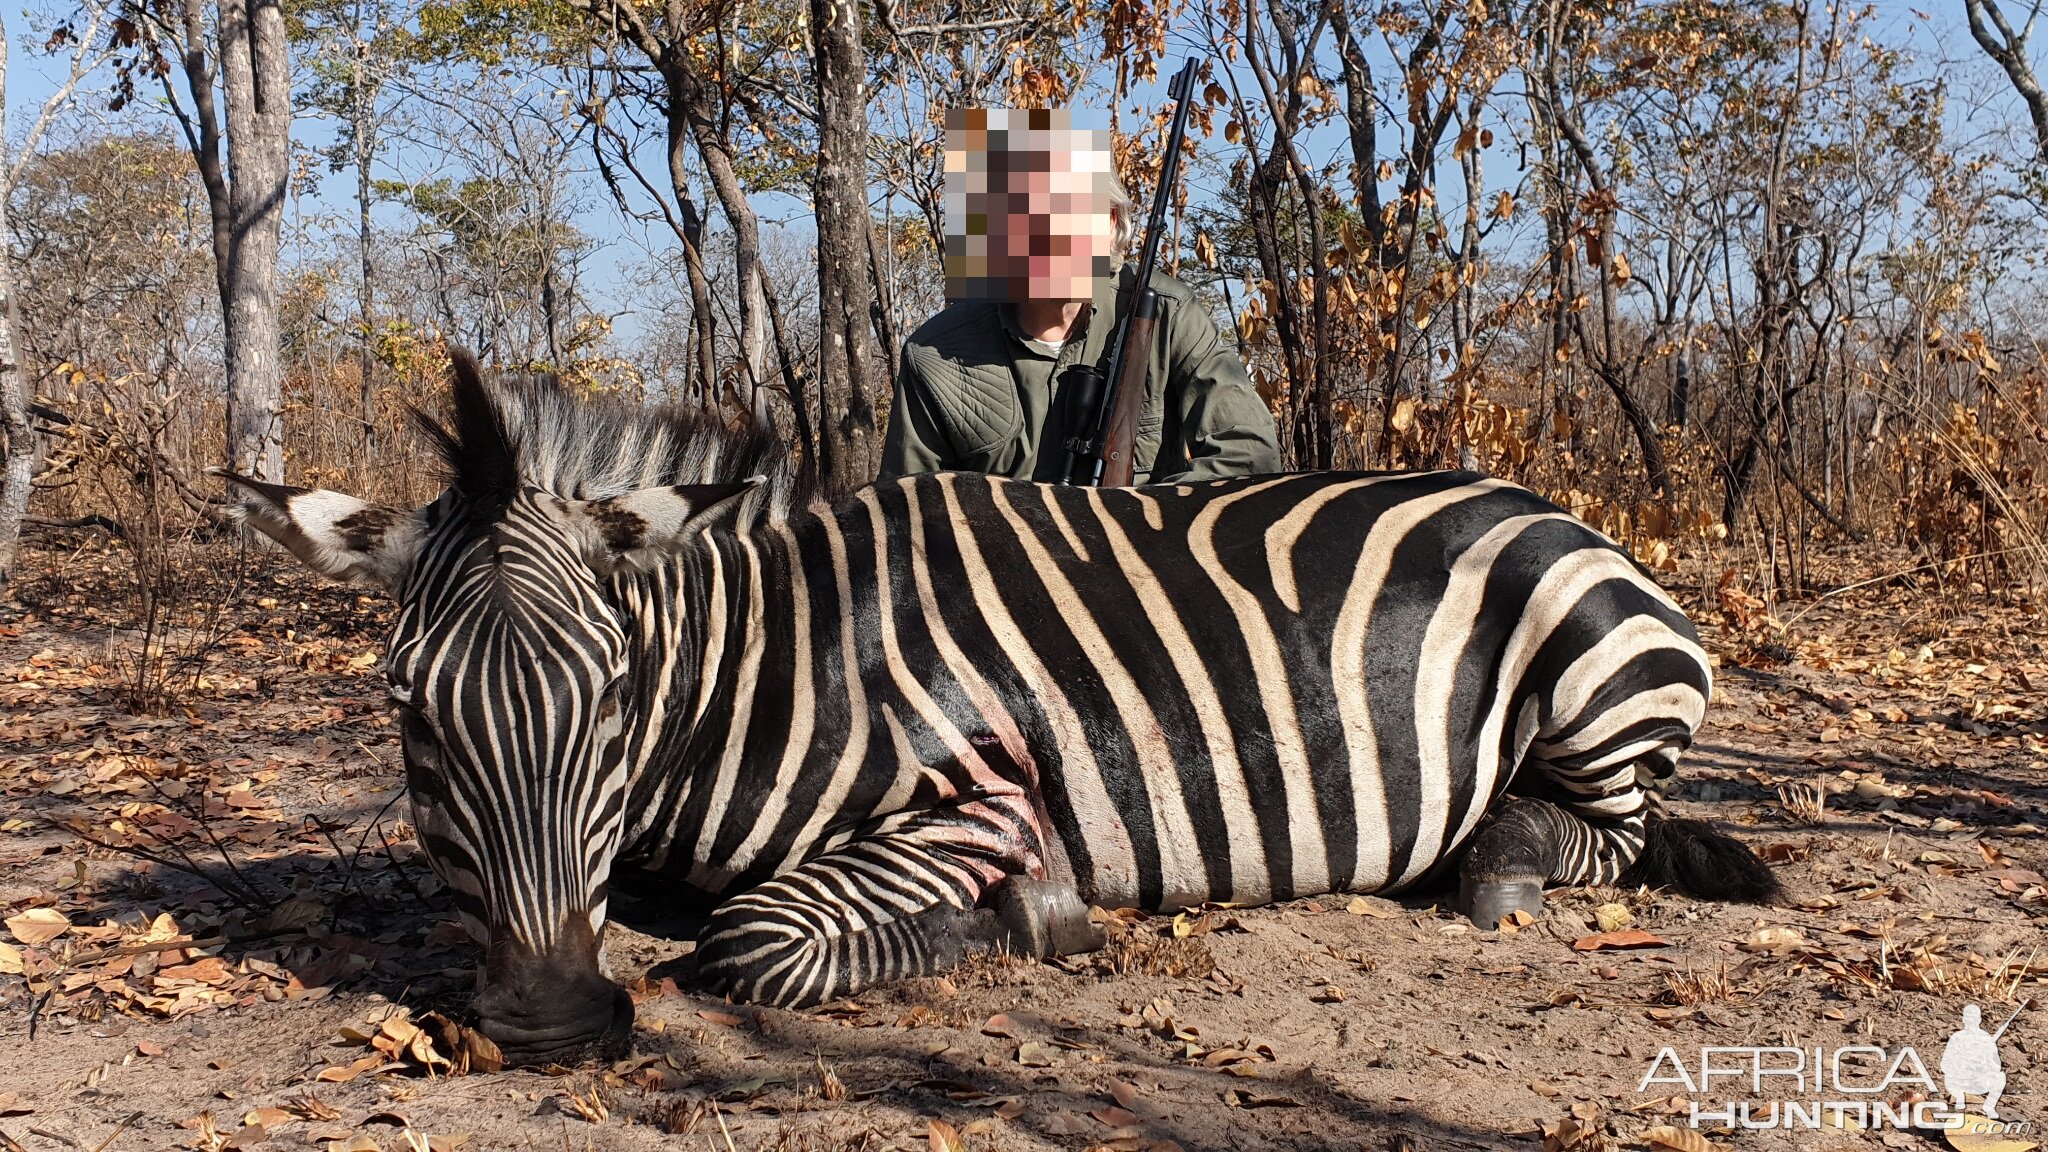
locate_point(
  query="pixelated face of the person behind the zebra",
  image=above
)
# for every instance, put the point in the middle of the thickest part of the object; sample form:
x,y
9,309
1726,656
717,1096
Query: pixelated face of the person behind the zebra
x,y
1027,206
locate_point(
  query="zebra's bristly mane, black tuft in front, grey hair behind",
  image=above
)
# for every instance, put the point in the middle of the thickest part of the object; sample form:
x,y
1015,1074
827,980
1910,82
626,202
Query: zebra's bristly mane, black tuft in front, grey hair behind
x,y
521,431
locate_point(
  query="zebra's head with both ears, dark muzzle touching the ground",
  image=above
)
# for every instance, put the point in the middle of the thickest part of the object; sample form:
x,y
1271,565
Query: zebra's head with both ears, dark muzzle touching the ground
x,y
511,671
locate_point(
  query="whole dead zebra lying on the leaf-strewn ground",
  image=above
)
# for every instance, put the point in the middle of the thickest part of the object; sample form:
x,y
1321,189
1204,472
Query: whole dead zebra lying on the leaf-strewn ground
x,y
949,714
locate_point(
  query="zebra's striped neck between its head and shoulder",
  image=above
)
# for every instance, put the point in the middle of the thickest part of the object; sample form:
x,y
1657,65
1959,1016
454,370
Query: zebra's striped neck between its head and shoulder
x,y
706,657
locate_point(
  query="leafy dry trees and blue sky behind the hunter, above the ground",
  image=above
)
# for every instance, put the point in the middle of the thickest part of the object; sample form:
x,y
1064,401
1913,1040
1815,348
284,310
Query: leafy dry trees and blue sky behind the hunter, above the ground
x,y
1736,282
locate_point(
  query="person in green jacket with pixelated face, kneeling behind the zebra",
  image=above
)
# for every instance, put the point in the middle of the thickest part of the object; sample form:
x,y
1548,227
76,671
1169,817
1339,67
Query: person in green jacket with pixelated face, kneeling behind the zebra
x,y
1037,229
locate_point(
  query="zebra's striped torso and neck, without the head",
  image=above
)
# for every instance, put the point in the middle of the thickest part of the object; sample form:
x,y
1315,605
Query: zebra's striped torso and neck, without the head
x,y
1244,692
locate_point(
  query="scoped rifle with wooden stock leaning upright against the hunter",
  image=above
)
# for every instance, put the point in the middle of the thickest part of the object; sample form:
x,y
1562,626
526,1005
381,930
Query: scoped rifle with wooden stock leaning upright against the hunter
x,y
1109,405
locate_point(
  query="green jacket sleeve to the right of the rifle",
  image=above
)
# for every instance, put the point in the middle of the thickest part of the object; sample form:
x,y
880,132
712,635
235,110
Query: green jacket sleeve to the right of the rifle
x,y
1226,427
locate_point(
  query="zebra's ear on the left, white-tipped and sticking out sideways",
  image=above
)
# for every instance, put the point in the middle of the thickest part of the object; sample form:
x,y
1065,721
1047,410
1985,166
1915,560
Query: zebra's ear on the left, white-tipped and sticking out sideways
x,y
331,532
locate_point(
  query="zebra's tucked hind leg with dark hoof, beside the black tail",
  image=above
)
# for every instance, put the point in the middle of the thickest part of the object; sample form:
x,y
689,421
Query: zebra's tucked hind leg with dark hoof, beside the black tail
x,y
1533,844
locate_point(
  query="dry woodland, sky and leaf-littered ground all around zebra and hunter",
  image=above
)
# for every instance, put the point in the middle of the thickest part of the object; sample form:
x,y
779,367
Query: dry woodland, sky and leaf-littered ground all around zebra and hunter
x,y
1754,286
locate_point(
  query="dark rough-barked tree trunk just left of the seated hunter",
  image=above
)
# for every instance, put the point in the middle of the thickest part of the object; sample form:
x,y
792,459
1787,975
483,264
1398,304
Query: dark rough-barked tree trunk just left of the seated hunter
x,y
847,352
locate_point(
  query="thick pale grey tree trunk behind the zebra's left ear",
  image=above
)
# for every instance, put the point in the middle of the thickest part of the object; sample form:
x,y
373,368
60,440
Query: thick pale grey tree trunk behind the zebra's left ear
x,y
257,81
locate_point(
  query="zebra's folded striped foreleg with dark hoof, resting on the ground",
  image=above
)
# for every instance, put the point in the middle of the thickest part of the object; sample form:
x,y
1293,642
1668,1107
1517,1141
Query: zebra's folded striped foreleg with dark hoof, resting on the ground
x,y
880,911
